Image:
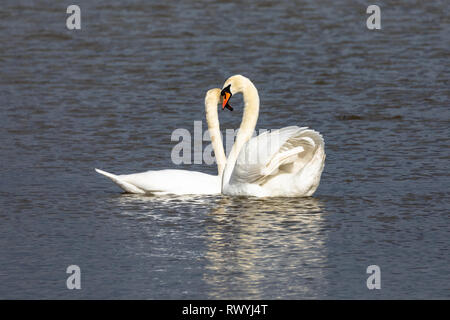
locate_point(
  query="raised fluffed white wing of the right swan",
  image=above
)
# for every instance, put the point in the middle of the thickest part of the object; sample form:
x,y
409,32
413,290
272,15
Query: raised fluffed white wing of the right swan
x,y
287,150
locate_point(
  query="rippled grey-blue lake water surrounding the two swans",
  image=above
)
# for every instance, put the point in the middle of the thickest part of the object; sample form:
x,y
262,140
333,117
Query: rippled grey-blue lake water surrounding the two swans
x,y
110,95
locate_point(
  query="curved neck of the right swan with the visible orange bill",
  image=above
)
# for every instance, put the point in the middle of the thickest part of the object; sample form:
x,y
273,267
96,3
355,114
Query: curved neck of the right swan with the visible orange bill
x,y
247,127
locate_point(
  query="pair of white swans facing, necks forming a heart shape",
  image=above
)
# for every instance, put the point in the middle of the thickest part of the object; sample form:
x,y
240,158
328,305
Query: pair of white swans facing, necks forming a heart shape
x,y
282,163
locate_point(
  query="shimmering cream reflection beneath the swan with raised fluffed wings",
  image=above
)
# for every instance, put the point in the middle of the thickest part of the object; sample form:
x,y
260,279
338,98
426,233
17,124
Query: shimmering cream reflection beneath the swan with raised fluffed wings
x,y
260,248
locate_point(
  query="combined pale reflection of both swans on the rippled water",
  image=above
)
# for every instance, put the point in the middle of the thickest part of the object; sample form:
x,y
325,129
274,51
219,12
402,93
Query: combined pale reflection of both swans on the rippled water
x,y
241,247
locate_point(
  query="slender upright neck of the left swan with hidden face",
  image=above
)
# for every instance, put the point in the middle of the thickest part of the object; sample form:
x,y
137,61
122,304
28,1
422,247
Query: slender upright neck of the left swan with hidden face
x,y
212,120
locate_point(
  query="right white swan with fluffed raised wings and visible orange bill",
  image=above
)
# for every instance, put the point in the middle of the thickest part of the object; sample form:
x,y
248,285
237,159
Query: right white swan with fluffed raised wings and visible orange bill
x,y
286,163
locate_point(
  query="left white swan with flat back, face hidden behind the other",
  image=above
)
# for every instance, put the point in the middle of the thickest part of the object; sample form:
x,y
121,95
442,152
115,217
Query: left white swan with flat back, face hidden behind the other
x,y
181,182
